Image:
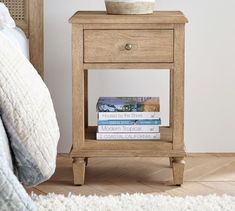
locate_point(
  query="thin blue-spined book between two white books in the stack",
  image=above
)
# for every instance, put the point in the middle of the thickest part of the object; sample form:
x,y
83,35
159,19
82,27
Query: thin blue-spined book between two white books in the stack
x,y
130,122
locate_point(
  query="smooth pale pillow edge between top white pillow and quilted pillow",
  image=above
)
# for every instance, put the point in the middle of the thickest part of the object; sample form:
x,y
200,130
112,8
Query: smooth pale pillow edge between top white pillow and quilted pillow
x,y
18,38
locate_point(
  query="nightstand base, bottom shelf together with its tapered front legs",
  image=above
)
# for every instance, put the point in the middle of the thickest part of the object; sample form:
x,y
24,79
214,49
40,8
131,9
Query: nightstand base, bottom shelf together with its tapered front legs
x,y
127,148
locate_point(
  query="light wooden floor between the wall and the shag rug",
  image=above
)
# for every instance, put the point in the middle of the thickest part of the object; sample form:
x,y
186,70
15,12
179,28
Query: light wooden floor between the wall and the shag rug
x,y
204,174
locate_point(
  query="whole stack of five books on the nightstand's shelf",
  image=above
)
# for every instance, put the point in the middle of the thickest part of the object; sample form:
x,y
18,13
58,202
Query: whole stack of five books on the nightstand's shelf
x,y
128,118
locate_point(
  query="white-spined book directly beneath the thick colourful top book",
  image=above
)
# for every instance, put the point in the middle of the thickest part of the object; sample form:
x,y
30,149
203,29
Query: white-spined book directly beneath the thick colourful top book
x,y
128,115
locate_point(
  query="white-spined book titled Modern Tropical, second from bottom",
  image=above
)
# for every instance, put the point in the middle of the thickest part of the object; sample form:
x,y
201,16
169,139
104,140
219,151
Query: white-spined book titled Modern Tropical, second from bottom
x,y
128,128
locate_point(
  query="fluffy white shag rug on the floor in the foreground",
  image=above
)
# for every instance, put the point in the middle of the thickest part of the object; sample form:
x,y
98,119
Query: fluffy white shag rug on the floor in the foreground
x,y
135,202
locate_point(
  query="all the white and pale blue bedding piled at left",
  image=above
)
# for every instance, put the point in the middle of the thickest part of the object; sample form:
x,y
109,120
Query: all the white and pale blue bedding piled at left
x,y
16,70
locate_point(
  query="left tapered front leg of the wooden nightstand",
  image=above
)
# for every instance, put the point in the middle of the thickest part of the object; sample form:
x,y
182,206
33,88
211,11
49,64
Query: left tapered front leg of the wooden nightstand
x,y
79,165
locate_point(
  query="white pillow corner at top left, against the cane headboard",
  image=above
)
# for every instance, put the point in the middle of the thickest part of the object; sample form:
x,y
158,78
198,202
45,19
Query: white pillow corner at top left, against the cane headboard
x,y
6,21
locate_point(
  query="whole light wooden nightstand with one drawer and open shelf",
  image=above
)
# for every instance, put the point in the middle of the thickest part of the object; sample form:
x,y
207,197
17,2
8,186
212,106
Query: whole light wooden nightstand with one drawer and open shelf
x,y
102,41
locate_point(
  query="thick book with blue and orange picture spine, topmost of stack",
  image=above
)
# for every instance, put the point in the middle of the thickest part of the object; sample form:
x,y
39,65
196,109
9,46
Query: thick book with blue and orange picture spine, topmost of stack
x,y
128,104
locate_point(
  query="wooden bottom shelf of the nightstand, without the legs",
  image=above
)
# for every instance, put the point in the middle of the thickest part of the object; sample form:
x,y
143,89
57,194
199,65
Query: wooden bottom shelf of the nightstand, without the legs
x,y
125,148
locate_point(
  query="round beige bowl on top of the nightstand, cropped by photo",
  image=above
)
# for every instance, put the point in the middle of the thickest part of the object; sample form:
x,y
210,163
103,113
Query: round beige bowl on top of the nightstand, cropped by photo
x,y
122,7
